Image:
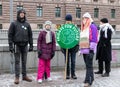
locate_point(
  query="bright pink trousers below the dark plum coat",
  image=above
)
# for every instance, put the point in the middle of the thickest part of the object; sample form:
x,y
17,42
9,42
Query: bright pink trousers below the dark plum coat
x,y
43,66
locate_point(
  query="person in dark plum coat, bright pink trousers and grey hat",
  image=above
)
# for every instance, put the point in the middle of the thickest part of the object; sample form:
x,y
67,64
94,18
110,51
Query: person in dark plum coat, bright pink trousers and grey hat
x,y
46,46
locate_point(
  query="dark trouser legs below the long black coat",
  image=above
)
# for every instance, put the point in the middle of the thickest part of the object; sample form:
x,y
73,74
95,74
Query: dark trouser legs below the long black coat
x,y
101,66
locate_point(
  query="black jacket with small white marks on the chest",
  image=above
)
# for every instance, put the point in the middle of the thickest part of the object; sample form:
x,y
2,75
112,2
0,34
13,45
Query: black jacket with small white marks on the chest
x,y
20,32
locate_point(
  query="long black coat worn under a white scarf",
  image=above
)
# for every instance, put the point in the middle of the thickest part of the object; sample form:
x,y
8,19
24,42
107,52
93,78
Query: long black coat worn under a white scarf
x,y
104,46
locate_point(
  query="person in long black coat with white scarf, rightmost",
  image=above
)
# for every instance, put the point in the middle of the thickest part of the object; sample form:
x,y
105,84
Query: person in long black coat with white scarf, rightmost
x,y
104,48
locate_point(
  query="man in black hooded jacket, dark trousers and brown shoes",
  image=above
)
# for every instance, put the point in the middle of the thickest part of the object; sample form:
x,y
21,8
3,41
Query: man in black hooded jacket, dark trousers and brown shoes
x,y
19,35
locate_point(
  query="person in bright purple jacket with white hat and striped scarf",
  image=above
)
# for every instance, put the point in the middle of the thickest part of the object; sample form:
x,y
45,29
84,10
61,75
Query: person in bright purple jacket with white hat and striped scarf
x,y
88,43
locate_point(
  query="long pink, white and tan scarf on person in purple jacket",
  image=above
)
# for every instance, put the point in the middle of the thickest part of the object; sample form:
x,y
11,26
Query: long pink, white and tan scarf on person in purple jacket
x,y
84,34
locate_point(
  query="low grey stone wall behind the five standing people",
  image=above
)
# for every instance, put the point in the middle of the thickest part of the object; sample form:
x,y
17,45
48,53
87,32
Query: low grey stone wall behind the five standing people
x,y
57,61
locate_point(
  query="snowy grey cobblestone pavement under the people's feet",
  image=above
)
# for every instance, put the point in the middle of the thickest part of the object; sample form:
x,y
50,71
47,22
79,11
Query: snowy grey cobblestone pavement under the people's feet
x,y
7,80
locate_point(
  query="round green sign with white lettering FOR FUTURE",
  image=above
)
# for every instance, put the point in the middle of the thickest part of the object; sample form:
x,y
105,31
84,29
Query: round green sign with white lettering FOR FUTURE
x,y
68,36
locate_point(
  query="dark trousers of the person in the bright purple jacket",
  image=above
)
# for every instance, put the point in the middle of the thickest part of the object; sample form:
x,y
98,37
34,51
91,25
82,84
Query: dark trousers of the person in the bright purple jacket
x,y
88,59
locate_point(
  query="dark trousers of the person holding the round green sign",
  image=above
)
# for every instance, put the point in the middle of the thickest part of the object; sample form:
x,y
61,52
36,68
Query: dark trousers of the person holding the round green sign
x,y
72,56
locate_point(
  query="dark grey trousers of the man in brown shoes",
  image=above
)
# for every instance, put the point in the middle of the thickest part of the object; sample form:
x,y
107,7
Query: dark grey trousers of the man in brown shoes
x,y
20,54
